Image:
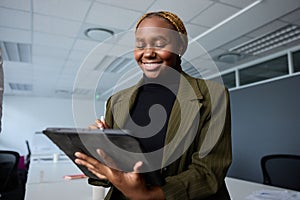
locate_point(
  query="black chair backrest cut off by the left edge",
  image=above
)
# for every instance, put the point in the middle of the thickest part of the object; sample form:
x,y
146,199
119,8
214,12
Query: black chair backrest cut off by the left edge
x,y
8,170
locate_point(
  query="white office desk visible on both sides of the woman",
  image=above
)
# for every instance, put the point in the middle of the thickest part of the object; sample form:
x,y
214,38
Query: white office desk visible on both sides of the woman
x,y
45,181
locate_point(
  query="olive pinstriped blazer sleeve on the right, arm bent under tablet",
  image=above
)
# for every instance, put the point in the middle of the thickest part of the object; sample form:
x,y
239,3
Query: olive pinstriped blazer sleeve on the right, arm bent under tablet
x,y
196,176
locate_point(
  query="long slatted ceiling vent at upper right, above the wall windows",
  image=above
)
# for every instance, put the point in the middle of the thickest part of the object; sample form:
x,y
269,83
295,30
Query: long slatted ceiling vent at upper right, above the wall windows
x,y
269,41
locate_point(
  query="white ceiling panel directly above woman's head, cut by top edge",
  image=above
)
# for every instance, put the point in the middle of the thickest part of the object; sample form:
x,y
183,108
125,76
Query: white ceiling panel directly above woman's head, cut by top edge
x,y
185,9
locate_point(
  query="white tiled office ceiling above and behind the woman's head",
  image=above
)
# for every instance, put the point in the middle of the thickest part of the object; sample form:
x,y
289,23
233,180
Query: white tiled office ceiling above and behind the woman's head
x,y
44,42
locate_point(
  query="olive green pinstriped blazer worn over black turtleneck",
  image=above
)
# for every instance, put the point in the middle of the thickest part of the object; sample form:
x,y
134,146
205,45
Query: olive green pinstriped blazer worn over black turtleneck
x,y
197,151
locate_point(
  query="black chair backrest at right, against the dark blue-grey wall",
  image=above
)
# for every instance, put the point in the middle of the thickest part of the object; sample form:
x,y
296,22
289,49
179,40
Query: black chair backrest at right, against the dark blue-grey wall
x,y
282,170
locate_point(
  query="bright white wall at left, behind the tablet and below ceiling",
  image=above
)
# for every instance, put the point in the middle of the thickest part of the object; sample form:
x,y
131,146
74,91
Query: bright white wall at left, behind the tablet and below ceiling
x,y
23,116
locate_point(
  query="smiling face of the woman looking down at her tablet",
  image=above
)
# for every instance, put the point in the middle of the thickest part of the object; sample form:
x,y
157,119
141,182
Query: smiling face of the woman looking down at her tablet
x,y
156,46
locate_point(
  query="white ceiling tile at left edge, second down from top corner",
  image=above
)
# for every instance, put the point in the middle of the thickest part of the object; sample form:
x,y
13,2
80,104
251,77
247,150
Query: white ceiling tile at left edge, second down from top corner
x,y
17,19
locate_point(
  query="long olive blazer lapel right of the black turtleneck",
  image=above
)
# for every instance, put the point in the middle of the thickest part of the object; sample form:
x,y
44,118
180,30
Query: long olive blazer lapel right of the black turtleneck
x,y
186,106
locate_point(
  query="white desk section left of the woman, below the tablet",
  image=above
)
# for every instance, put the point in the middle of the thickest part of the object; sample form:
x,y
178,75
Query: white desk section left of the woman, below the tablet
x,y
45,181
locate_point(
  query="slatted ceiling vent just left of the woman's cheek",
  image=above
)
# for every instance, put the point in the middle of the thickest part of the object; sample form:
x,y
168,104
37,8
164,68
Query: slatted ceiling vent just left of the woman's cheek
x,y
114,64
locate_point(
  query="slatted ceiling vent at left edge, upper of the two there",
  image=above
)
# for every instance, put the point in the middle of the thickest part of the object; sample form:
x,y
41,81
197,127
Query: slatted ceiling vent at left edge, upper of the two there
x,y
17,52
